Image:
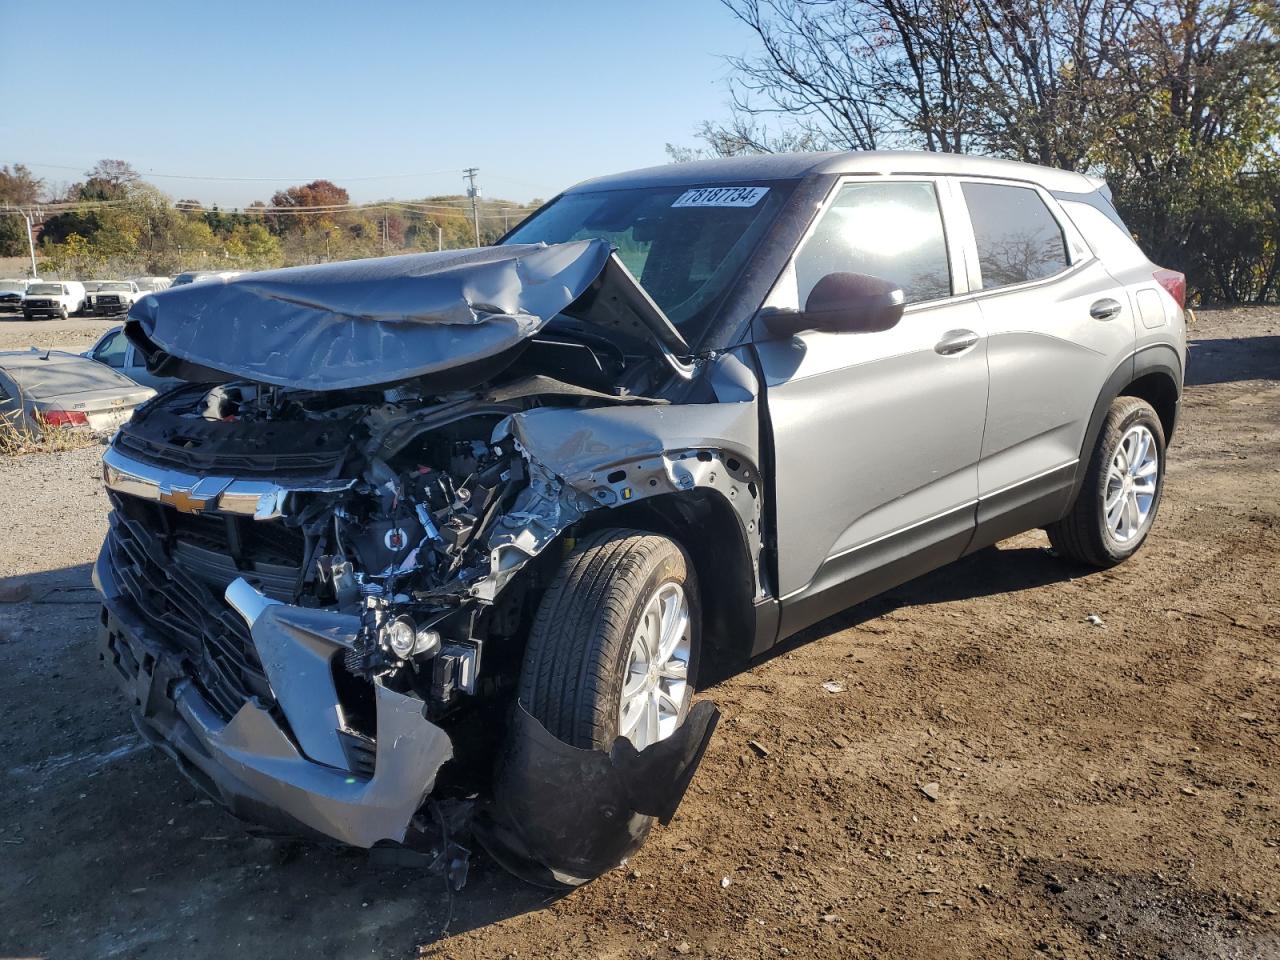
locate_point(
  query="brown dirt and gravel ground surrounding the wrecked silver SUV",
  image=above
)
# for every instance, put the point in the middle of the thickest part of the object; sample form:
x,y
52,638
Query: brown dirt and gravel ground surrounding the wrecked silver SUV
x,y
1101,790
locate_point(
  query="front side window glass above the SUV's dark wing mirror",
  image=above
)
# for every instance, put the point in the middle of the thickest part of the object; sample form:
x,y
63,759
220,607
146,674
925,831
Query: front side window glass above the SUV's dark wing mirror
x,y
888,230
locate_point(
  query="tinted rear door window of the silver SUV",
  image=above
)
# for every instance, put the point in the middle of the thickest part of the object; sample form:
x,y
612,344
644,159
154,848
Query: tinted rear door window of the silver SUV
x,y
1018,237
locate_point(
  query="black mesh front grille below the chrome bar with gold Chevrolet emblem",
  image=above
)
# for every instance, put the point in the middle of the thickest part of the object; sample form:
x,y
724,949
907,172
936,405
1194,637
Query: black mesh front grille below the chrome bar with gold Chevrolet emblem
x,y
176,568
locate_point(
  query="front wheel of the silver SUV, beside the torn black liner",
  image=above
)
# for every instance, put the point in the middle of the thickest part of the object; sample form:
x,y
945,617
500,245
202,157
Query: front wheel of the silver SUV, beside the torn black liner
x,y
584,638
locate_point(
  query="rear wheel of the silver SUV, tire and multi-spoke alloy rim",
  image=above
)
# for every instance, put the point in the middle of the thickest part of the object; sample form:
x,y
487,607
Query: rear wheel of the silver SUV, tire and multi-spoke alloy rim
x,y
1089,534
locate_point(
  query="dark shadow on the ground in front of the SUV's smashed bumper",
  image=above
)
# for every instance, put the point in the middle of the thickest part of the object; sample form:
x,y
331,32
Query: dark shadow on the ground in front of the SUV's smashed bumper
x,y
106,849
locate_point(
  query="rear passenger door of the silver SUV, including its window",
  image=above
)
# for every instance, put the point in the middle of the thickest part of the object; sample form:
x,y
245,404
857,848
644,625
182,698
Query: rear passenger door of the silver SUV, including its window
x,y
1058,326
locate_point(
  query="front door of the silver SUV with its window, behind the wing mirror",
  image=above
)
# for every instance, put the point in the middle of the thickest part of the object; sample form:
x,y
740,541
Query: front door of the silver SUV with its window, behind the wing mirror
x,y
876,436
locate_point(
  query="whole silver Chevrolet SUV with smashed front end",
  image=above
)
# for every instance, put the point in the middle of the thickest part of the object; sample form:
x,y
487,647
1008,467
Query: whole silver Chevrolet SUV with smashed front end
x,y
465,524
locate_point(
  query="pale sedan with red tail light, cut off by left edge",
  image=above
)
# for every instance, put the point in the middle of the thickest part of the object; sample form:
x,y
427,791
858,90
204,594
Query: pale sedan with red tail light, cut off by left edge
x,y
67,391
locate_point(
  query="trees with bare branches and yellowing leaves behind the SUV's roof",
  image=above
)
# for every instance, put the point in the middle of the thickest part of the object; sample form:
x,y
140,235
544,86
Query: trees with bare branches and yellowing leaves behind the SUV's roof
x,y
1177,102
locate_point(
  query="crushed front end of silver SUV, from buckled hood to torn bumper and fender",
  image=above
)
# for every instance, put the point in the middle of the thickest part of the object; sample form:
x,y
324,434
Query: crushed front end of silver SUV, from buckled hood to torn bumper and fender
x,y
327,546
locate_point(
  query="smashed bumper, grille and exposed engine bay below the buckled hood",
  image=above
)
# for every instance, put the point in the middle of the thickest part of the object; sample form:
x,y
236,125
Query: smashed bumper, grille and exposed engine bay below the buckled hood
x,y
290,591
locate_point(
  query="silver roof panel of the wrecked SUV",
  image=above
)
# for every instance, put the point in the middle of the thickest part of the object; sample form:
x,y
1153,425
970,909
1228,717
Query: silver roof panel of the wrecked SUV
x,y
793,167
